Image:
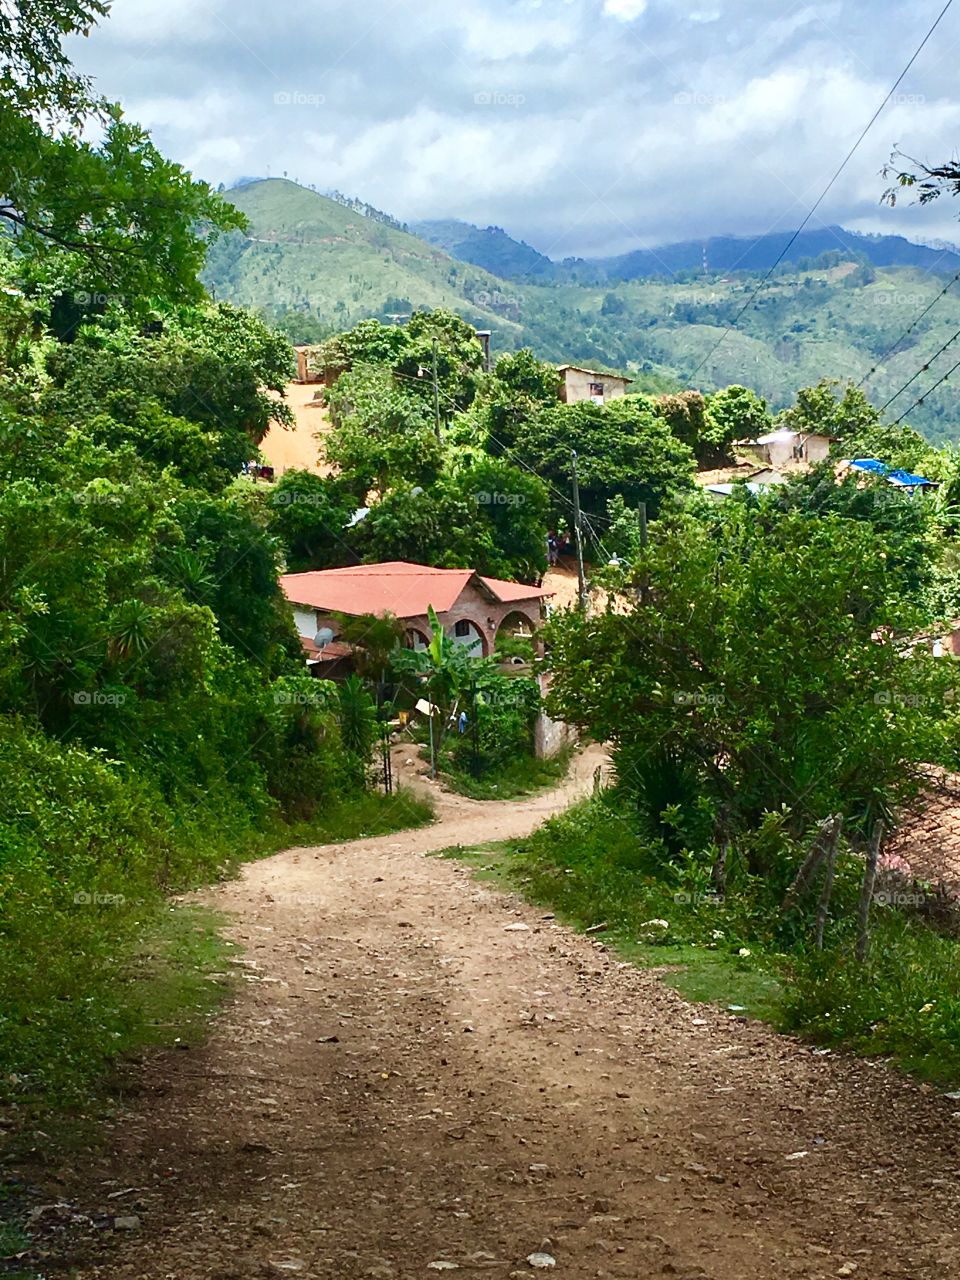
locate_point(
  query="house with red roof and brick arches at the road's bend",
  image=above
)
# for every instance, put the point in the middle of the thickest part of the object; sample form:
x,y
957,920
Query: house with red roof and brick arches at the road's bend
x,y
472,609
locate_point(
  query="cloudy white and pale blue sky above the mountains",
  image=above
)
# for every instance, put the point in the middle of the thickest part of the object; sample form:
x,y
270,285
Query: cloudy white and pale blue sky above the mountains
x,y
582,126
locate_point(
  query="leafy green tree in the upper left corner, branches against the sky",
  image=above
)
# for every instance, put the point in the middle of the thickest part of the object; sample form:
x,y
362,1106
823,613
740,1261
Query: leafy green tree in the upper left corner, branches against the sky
x,y
113,214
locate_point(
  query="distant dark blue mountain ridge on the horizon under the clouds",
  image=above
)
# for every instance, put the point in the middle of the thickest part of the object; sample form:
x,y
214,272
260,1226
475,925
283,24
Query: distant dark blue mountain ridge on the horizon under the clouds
x,y
497,253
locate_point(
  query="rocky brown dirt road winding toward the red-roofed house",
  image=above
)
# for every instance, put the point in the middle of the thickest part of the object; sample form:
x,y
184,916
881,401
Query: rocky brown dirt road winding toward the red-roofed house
x,y
422,1073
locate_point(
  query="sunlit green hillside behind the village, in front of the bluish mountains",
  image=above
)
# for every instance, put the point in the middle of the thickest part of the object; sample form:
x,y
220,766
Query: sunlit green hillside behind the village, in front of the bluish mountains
x,y
314,268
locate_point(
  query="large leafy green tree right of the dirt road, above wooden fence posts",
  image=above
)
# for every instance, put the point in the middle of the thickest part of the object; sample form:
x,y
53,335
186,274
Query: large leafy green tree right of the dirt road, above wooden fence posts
x,y
762,673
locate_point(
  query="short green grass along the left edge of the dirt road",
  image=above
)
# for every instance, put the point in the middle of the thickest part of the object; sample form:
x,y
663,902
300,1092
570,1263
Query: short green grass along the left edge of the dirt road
x,y
150,973
